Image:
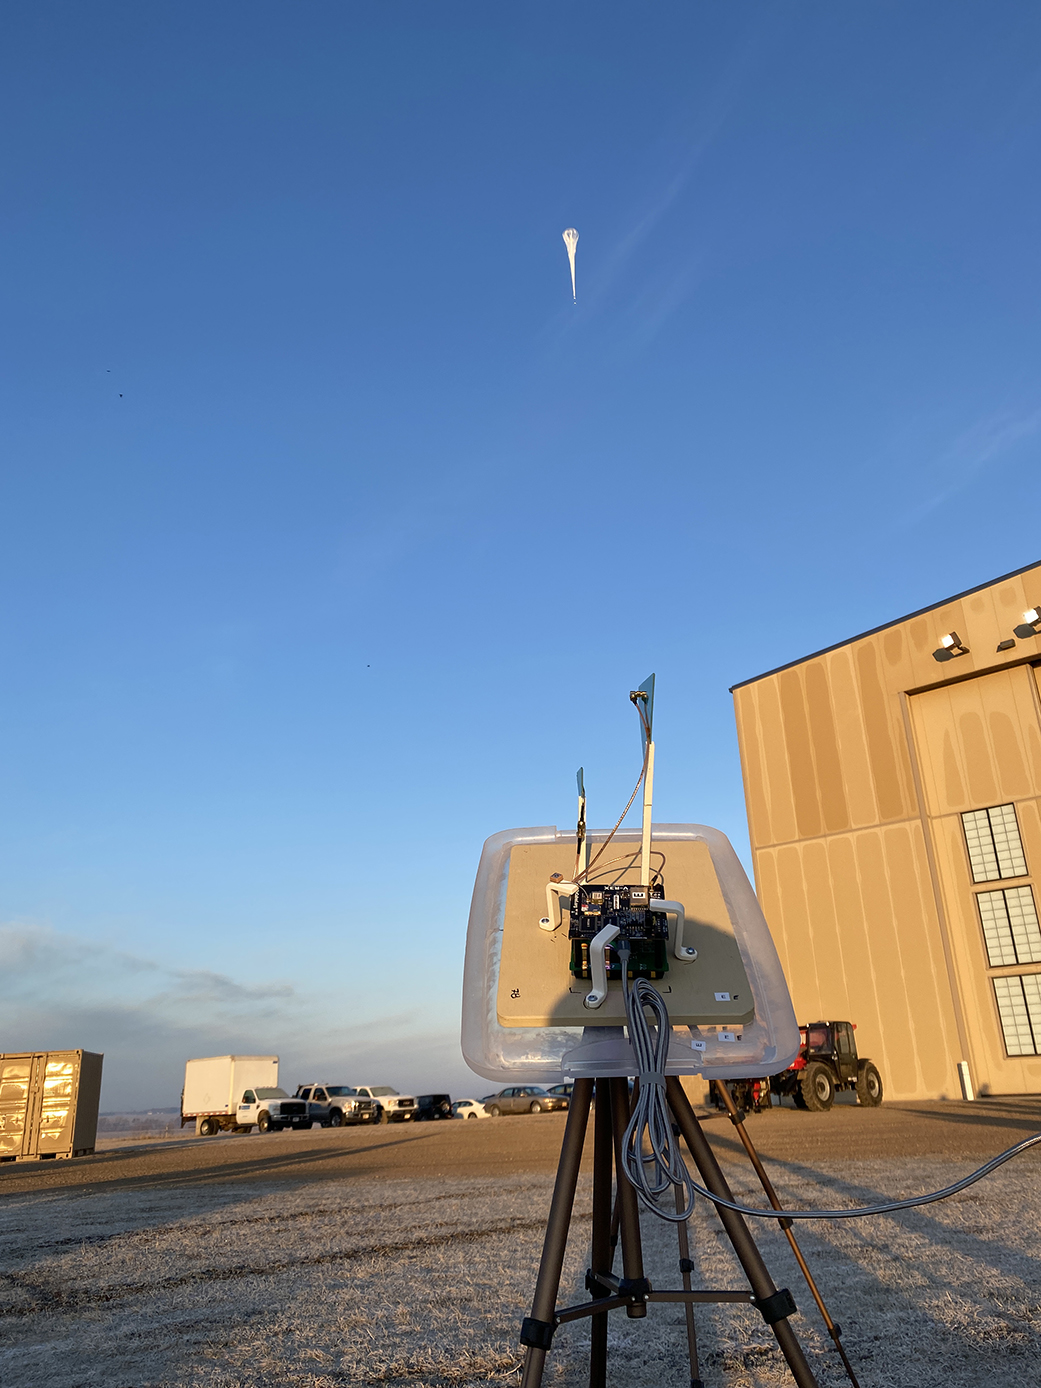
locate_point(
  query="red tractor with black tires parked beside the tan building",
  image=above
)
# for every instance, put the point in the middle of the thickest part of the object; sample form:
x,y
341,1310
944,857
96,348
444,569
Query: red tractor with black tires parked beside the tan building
x,y
828,1061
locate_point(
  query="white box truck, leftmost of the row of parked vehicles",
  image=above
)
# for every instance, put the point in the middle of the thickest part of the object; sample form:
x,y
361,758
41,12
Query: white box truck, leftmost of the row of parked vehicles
x,y
231,1093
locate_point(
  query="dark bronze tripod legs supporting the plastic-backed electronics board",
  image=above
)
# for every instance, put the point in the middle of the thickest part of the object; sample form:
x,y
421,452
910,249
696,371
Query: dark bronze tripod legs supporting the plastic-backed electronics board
x,y
632,1292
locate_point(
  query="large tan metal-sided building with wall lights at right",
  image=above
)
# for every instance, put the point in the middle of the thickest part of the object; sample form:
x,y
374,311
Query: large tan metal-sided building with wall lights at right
x,y
895,807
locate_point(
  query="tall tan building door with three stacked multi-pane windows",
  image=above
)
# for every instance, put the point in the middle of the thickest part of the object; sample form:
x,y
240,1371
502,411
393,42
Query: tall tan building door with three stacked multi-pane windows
x,y
979,752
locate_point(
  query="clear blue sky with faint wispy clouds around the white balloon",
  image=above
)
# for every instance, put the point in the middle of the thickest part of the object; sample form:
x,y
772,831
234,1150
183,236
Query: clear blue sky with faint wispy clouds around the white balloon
x,y
335,535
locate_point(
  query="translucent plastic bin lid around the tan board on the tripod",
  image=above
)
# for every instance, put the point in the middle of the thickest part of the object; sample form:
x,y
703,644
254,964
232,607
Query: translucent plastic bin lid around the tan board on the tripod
x,y
546,1054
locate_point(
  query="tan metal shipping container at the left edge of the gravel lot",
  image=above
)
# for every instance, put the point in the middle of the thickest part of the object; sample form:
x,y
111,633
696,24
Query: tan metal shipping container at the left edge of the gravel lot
x,y
49,1104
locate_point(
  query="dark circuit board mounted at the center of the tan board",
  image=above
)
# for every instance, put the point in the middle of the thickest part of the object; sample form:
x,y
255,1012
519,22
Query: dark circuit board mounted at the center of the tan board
x,y
648,932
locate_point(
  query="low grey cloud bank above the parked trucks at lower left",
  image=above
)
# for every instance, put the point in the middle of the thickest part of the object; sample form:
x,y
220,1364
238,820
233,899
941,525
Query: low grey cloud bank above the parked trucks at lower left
x,y
148,1018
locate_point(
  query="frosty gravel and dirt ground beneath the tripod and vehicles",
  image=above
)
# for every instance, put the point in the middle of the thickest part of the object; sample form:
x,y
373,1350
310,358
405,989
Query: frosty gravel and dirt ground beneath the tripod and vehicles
x,y
409,1255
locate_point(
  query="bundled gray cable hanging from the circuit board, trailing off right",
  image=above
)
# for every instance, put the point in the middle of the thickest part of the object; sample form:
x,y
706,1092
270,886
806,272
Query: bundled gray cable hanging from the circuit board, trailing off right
x,y
652,1117
